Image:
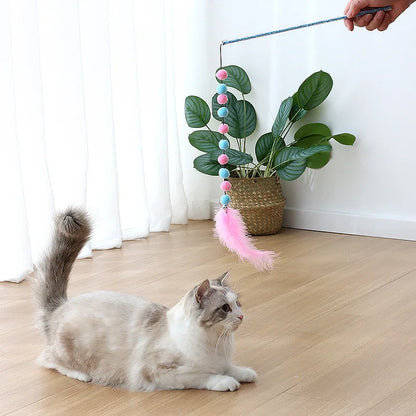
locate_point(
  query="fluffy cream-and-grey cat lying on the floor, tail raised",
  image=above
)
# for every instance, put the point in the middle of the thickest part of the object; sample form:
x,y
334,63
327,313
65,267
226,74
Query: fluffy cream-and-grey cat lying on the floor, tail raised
x,y
120,340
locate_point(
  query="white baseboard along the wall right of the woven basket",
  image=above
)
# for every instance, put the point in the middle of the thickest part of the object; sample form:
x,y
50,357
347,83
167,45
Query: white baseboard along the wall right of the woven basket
x,y
346,223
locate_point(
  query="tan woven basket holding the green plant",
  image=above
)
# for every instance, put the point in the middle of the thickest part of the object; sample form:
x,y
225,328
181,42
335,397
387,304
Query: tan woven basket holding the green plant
x,y
260,202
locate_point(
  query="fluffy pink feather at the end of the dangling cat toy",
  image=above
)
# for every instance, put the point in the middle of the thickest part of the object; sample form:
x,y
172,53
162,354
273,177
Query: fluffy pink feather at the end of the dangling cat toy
x,y
232,233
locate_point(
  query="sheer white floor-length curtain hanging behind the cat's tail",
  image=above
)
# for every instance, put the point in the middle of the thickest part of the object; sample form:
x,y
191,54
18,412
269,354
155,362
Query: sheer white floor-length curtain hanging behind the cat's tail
x,y
91,111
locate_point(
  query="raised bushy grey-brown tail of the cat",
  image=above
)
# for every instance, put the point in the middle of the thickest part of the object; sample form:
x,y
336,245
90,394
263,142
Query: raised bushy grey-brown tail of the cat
x,y
72,231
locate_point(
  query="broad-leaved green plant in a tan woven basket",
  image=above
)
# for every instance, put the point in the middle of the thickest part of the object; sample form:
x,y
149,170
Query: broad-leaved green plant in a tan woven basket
x,y
275,156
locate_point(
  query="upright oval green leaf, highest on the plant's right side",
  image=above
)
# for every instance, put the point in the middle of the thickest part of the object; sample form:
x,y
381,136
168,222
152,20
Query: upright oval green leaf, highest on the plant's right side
x,y
314,90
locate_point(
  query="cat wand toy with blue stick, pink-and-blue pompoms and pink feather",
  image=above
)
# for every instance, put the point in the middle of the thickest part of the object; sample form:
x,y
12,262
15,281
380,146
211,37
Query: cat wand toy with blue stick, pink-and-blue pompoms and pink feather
x,y
229,225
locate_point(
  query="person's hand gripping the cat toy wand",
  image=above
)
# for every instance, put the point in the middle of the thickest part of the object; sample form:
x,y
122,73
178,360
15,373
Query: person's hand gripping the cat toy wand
x,y
379,20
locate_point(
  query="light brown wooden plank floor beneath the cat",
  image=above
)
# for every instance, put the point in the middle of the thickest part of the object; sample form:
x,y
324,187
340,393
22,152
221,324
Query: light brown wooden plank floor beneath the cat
x,y
330,331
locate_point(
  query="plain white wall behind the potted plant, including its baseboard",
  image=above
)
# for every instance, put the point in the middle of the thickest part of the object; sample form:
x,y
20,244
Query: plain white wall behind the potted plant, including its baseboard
x,y
365,189
